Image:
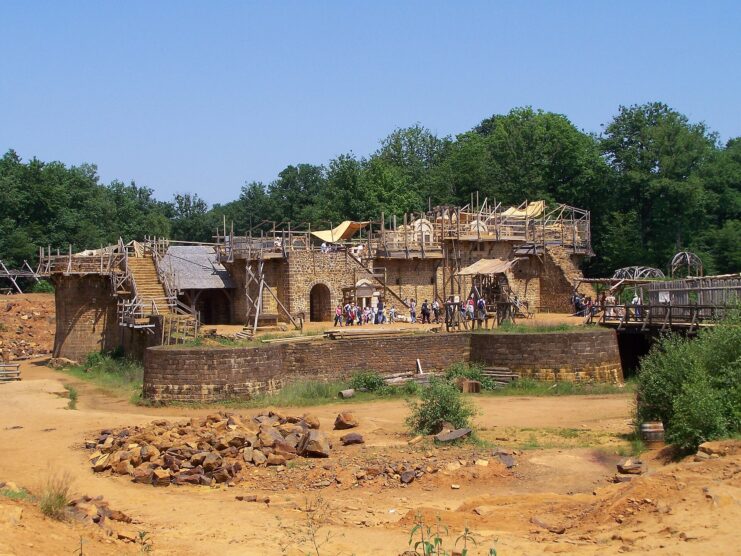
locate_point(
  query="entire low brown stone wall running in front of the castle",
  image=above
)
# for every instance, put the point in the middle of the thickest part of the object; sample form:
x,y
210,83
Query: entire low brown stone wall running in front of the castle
x,y
210,374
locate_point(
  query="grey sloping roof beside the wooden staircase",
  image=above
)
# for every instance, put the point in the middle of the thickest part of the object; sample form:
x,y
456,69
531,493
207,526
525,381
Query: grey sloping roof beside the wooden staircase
x,y
195,268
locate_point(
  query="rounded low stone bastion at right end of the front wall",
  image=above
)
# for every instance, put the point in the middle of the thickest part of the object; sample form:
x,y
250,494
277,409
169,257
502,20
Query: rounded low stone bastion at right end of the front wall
x,y
571,356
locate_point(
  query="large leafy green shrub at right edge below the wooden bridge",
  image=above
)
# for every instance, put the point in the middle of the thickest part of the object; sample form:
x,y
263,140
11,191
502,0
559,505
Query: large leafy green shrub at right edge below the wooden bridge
x,y
694,386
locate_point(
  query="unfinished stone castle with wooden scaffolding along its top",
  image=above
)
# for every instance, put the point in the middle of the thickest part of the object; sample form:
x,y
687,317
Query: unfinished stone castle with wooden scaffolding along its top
x,y
138,294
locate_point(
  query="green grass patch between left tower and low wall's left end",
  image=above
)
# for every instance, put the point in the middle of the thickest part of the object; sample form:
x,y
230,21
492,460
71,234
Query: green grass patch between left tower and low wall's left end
x,y
117,375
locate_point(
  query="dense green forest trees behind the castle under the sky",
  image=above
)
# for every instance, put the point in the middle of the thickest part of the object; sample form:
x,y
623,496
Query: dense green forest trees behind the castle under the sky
x,y
655,182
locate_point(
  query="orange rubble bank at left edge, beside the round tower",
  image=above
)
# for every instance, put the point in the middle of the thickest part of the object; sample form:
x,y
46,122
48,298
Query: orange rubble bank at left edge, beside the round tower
x,y
26,326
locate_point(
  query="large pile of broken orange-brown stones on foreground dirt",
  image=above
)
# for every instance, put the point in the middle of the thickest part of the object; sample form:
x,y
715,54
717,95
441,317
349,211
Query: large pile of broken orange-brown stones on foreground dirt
x,y
207,451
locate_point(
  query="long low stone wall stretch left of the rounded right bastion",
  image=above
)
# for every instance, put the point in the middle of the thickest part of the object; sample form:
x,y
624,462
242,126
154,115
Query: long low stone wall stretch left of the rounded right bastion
x,y
207,374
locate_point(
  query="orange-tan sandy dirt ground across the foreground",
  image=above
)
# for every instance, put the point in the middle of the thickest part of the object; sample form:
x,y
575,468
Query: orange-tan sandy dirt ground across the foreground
x,y
565,450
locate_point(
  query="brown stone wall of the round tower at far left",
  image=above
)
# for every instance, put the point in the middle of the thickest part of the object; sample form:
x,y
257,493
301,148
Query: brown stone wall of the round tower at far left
x,y
86,316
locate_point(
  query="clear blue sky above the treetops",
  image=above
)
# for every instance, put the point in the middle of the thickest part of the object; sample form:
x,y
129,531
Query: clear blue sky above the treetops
x,y
205,96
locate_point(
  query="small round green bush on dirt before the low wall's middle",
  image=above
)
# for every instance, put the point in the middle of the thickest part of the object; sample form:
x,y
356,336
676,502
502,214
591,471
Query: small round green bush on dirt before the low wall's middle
x,y
438,403
